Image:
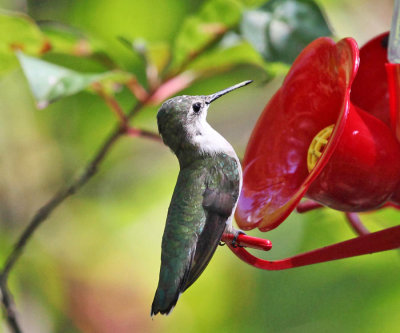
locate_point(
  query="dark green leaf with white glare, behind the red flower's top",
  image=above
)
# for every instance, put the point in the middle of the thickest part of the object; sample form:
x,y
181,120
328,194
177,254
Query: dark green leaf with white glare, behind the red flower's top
x,y
280,29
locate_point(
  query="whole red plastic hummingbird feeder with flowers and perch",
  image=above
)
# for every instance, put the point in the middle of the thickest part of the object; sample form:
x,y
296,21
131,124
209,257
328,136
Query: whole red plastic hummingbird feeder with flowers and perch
x,y
330,134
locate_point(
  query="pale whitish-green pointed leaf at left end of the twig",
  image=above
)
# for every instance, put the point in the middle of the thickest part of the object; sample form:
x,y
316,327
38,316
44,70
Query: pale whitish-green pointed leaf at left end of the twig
x,y
50,82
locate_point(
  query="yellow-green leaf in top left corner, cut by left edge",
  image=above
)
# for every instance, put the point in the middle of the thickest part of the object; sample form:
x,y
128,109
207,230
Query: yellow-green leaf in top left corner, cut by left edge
x,y
19,32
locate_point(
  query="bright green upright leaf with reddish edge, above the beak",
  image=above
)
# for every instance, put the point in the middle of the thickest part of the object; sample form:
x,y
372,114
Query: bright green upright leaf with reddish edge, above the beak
x,y
199,32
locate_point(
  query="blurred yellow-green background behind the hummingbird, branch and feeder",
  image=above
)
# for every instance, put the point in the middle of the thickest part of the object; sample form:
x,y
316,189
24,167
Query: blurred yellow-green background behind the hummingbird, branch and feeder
x,y
93,266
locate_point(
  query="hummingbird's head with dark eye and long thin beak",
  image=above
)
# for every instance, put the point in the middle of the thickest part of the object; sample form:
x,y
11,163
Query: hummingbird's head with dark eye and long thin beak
x,y
182,120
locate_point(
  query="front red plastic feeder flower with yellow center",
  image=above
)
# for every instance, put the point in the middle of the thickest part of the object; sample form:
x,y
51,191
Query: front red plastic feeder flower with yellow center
x,y
310,140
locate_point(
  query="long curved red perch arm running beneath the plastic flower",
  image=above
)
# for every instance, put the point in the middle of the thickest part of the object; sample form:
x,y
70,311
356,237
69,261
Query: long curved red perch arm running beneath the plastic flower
x,y
384,240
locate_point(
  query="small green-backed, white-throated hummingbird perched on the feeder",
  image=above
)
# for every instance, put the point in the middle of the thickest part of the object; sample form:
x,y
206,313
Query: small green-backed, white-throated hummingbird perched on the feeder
x,y
204,198
